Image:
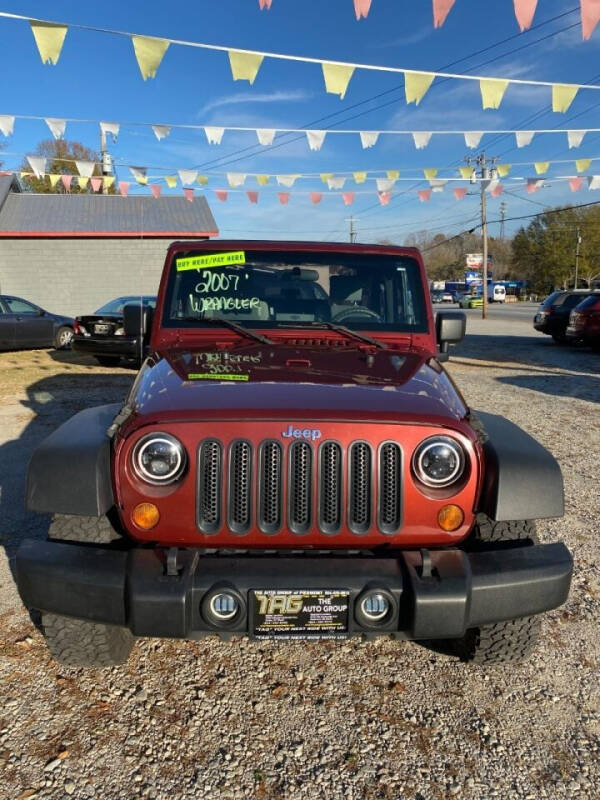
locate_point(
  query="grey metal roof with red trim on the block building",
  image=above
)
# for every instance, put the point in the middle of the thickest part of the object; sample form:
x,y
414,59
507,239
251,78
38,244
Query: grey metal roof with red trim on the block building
x,y
23,214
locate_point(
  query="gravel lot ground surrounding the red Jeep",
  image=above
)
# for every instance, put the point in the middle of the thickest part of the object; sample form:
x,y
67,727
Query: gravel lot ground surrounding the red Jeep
x,y
318,720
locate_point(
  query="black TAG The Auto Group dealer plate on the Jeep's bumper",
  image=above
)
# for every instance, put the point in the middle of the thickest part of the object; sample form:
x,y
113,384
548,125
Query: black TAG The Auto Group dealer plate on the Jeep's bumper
x,y
299,613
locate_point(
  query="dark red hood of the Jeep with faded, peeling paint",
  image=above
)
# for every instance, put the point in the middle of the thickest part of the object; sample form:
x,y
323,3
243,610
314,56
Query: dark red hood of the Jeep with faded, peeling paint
x,y
294,383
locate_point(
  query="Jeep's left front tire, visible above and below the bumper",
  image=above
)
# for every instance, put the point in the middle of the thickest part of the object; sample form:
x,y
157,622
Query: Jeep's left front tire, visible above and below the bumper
x,y
76,642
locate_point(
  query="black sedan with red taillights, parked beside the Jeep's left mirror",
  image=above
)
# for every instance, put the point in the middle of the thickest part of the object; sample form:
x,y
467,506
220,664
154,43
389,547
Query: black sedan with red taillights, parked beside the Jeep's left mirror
x,y
102,334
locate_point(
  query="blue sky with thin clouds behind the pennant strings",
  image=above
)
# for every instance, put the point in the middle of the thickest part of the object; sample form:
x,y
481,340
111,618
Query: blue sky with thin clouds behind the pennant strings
x,y
97,78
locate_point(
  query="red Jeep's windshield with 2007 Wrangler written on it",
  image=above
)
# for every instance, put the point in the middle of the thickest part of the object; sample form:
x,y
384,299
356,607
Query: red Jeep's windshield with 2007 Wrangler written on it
x,y
269,289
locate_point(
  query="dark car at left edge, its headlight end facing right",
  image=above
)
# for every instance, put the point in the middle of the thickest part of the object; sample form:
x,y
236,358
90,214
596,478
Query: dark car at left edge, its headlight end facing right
x,y
23,325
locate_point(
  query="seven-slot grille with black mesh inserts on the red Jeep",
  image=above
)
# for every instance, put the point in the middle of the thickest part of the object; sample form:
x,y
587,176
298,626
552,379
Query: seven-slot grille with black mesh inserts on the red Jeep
x,y
270,487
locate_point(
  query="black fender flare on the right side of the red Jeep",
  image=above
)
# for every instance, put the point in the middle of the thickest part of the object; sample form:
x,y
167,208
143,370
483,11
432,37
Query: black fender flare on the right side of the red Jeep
x,y
521,480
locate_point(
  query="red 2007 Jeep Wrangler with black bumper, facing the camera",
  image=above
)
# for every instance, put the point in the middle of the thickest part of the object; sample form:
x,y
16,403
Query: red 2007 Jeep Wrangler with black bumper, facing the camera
x,y
292,461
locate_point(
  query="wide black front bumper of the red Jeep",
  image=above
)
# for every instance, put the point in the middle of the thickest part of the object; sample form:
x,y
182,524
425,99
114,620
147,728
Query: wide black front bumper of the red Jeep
x,y
436,594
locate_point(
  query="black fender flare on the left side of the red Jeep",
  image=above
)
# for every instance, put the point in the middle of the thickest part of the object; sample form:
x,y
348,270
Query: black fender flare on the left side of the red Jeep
x,y
70,471
